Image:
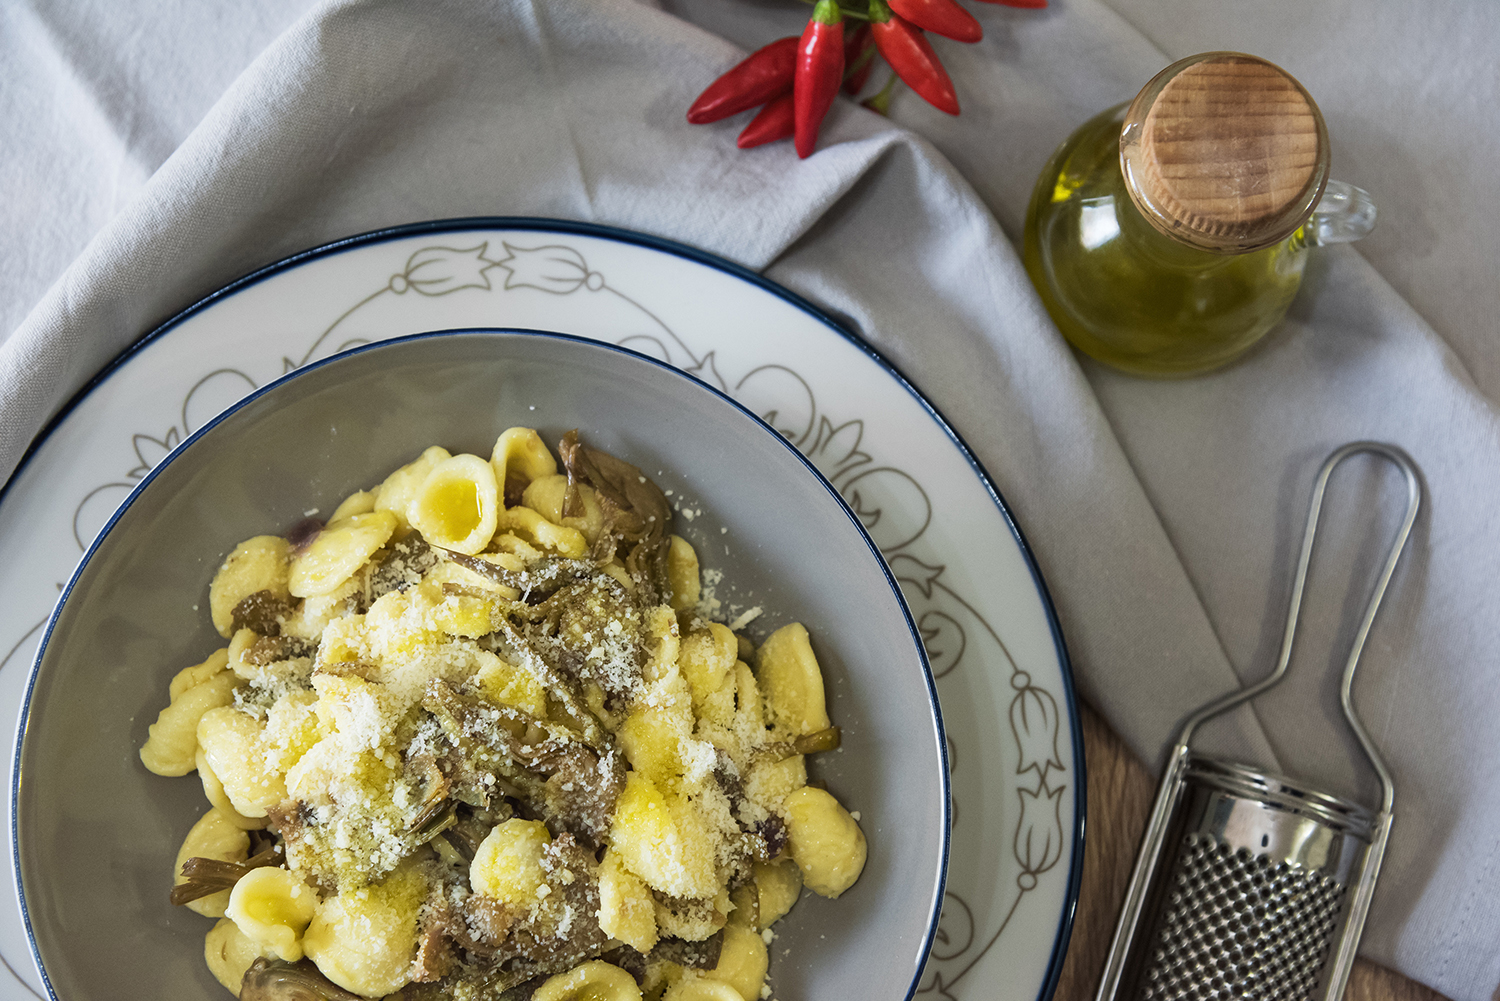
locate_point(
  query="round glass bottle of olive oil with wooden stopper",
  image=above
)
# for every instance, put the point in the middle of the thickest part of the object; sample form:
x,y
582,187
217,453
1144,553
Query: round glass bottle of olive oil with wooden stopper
x,y
1169,236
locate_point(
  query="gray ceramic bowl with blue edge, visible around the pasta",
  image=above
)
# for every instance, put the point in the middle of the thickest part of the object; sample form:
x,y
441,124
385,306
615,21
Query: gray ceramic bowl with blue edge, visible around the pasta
x,y
97,834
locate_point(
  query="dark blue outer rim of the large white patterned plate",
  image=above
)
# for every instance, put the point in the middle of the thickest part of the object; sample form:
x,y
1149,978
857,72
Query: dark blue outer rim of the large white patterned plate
x,y
665,245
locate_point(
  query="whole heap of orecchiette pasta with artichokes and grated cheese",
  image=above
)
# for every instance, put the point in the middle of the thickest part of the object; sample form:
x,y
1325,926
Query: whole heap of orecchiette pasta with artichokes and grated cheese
x,y
460,741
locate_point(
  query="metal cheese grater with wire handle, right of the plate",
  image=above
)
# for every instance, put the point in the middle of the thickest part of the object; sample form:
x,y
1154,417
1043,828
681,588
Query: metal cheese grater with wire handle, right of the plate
x,y
1250,885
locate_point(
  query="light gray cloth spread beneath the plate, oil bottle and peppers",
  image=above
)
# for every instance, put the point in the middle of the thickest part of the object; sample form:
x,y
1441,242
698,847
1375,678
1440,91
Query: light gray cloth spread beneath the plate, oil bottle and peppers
x,y
1165,516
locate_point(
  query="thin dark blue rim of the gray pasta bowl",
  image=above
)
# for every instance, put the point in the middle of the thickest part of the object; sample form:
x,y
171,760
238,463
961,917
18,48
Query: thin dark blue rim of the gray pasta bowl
x,y
25,720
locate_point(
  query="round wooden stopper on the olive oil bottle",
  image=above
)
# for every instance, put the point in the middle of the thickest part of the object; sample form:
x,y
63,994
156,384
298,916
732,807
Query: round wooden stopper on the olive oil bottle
x,y
1225,152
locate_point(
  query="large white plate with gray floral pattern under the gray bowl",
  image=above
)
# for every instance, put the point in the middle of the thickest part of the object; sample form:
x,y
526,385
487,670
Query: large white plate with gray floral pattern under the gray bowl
x,y
1003,675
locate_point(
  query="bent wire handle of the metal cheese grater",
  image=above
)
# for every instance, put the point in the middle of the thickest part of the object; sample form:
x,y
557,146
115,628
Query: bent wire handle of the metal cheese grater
x,y
1403,463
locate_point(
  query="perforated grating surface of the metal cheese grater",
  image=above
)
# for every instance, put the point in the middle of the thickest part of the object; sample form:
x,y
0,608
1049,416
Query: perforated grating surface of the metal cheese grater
x,y
1240,927
